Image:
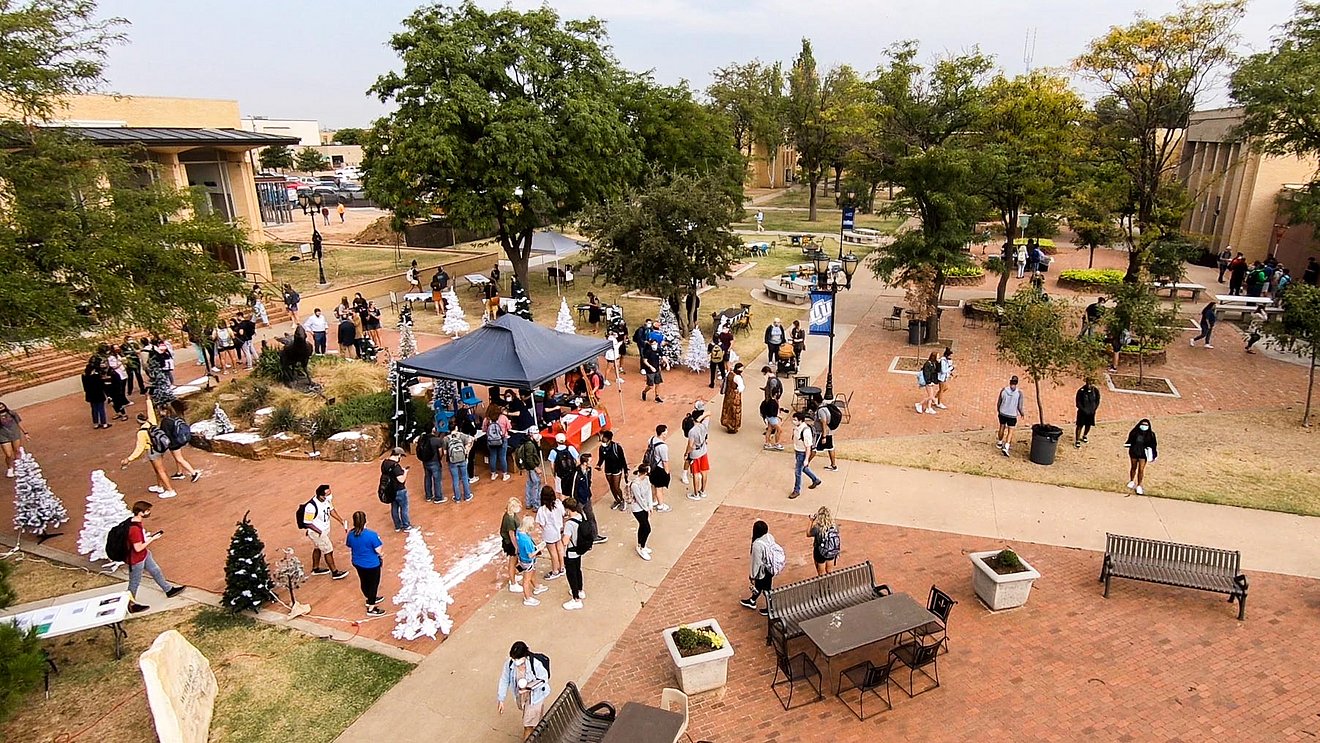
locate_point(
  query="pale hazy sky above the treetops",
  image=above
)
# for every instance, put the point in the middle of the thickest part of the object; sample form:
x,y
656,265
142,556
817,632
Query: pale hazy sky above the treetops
x,y
316,59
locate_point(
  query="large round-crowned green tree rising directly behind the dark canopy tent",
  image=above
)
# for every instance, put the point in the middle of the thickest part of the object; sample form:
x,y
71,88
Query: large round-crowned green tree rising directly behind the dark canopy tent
x,y
504,121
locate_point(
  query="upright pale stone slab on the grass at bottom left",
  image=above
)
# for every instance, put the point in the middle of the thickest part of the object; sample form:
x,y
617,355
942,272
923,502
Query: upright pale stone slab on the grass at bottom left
x,y
180,690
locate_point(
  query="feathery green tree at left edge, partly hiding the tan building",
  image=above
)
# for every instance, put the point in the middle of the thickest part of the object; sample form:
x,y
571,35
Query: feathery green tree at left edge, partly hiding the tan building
x,y
90,242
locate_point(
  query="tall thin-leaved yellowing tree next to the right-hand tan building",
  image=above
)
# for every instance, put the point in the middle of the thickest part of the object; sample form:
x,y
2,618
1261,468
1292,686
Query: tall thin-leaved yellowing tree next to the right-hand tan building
x,y
1152,75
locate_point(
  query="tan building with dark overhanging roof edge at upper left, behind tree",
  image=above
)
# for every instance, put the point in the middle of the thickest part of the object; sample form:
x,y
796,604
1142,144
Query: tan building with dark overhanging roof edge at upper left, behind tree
x,y
195,143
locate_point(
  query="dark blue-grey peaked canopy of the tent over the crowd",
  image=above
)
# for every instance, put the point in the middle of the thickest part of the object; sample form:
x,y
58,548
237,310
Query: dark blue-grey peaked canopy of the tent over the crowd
x,y
508,353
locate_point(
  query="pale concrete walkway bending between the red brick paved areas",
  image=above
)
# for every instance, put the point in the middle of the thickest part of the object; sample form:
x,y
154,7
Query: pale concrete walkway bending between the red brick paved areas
x,y
452,694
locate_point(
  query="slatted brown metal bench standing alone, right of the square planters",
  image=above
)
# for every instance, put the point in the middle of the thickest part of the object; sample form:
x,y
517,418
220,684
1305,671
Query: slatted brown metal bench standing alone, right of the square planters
x,y
1171,564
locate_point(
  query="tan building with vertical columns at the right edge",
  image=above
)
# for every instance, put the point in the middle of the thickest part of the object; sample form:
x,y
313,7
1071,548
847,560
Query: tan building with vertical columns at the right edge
x,y
1236,192
